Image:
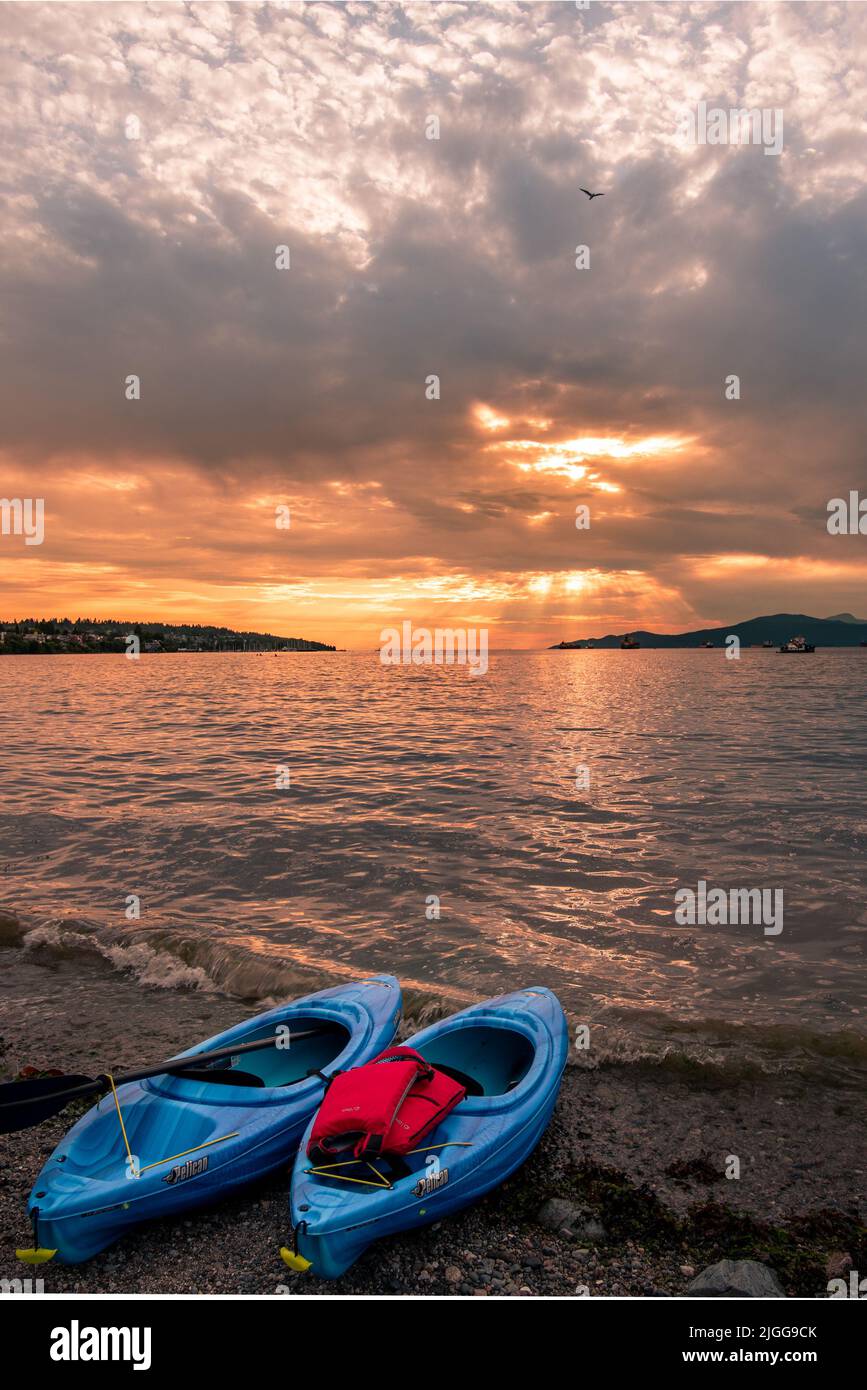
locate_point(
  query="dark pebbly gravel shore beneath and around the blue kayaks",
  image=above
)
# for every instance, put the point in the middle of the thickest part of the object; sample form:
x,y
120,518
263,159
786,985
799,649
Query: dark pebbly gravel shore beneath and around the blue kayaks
x,y
640,1154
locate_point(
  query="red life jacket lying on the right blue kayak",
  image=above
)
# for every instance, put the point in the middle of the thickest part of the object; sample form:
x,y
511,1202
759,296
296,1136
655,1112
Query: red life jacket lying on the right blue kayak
x,y
386,1107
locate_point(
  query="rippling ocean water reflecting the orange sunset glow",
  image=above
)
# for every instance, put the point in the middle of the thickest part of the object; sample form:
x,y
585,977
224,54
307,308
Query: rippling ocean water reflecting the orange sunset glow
x,y
433,826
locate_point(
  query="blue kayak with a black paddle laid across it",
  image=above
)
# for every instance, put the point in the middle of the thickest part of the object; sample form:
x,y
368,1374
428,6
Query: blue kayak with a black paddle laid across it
x,y
185,1142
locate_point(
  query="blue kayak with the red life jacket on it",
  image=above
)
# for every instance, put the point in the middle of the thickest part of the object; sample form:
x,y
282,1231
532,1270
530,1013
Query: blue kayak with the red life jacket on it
x,y
509,1054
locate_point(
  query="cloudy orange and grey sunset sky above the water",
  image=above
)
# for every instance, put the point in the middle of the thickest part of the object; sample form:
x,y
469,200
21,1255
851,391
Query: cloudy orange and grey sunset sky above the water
x,y
305,126
